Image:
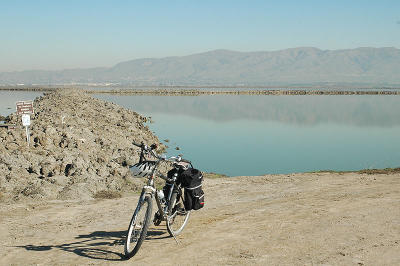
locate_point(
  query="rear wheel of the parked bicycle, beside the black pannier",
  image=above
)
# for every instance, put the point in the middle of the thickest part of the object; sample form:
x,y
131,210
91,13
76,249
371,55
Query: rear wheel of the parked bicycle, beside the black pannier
x,y
175,226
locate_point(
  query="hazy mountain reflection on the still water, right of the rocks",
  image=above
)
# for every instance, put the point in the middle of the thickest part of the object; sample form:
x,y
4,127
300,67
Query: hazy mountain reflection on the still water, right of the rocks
x,y
363,110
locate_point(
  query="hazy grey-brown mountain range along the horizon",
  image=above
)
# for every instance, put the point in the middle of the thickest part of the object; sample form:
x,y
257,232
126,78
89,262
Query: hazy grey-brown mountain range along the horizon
x,y
304,66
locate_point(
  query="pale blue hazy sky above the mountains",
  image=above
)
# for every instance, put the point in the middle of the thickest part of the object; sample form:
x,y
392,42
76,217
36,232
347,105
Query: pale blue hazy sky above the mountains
x,y
68,34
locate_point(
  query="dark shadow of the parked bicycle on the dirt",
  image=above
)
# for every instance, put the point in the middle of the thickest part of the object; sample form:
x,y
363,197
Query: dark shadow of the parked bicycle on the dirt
x,y
99,245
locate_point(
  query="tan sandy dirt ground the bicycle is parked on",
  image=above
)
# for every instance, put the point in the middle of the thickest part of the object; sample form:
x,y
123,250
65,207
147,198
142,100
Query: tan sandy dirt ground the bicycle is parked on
x,y
298,219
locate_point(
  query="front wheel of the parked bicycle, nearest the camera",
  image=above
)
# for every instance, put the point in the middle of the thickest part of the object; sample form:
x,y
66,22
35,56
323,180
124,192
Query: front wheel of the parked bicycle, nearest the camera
x,y
138,226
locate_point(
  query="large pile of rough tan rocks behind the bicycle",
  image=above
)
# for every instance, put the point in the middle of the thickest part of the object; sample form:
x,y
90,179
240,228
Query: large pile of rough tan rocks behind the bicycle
x,y
80,146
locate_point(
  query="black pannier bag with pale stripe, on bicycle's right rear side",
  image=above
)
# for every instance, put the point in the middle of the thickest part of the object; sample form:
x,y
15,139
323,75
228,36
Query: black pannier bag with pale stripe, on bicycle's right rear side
x,y
191,180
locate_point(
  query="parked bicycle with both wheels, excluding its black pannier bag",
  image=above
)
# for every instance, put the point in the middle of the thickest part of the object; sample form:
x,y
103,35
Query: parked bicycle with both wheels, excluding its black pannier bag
x,y
171,207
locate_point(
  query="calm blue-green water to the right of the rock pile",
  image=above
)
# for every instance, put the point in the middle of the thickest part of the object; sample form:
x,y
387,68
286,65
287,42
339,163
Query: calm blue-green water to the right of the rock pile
x,y
254,135
